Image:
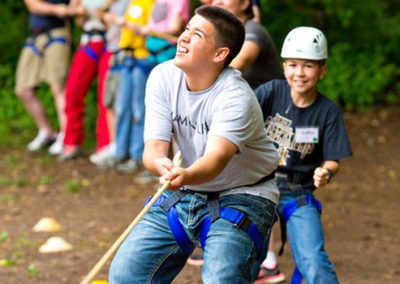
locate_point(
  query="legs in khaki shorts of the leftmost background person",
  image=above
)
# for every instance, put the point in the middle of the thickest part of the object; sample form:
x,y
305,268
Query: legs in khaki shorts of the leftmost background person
x,y
37,63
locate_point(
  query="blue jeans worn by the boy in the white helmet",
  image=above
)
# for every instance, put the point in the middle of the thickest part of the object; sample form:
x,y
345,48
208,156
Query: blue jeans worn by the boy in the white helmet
x,y
306,240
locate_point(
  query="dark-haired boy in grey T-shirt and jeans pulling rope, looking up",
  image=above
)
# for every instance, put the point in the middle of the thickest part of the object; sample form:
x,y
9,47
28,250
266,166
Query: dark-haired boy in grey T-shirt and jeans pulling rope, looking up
x,y
223,196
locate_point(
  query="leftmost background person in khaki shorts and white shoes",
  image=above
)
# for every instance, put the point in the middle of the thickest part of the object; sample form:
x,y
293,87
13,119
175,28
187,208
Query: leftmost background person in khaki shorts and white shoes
x,y
45,58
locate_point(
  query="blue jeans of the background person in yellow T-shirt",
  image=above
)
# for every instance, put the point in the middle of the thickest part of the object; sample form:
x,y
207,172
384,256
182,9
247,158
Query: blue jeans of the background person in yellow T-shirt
x,y
130,109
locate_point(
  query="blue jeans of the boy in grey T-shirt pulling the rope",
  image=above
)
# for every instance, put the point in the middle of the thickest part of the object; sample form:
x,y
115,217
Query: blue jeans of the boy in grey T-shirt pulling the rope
x,y
150,254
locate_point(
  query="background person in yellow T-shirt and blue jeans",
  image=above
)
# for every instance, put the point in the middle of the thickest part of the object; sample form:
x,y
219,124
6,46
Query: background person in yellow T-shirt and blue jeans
x,y
134,71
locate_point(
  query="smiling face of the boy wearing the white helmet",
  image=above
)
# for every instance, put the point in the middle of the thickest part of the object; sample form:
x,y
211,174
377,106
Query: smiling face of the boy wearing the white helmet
x,y
303,75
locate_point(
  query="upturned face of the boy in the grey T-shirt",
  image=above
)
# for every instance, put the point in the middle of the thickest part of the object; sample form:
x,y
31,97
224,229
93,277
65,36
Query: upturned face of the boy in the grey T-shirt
x,y
196,46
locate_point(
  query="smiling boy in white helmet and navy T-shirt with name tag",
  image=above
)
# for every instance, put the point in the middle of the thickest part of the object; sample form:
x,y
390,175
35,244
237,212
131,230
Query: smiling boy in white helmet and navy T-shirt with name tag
x,y
311,138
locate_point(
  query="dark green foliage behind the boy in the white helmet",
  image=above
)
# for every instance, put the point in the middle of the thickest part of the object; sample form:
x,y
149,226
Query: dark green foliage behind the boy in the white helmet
x,y
364,62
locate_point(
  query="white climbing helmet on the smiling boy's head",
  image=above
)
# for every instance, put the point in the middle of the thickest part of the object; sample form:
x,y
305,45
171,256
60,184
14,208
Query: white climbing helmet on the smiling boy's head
x,y
305,43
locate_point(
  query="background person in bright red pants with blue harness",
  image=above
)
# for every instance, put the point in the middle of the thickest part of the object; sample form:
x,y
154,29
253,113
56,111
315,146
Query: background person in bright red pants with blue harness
x,y
90,59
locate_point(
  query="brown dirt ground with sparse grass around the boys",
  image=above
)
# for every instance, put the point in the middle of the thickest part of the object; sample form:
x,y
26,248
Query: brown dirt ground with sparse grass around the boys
x,y
360,215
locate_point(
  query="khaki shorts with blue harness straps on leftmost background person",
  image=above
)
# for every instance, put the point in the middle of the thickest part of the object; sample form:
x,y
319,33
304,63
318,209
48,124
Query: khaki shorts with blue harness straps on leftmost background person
x,y
44,63
